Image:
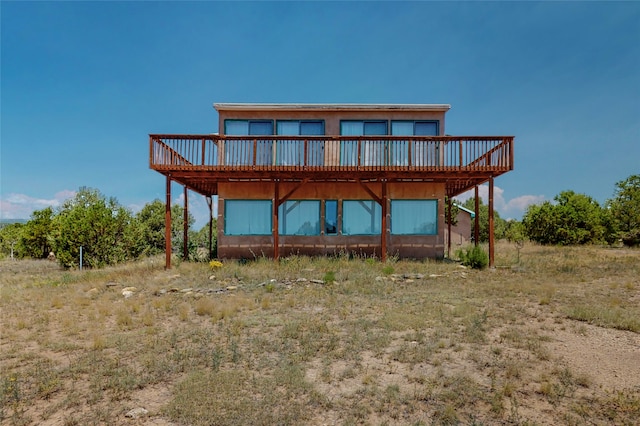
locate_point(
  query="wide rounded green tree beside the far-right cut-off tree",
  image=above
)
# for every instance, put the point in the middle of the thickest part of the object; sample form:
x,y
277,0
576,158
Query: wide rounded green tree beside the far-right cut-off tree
x,y
573,219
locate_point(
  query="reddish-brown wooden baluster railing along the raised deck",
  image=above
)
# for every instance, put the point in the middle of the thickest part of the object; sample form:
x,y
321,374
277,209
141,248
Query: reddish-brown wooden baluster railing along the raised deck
x,y
327,153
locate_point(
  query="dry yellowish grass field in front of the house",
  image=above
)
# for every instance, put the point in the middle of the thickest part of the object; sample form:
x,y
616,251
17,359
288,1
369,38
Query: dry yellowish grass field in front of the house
x,y
375,344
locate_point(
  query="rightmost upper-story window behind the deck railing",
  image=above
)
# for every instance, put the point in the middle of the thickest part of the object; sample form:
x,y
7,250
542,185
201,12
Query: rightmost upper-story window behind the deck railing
x,y
423,153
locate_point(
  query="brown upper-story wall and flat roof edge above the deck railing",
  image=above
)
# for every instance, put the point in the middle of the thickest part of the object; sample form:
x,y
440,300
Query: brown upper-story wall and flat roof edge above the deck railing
x,y
332,114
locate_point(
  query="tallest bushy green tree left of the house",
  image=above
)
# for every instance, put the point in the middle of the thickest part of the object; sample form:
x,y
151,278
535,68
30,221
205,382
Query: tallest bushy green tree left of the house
x,y
97,224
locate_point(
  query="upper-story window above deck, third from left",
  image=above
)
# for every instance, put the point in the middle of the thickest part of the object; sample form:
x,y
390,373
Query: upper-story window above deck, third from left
x,y
371,152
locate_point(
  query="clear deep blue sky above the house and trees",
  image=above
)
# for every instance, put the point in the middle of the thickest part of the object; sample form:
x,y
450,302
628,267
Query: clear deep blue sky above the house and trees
x,y
84,83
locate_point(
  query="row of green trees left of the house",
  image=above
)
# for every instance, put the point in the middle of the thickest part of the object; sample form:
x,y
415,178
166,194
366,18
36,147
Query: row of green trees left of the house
x,y
107,232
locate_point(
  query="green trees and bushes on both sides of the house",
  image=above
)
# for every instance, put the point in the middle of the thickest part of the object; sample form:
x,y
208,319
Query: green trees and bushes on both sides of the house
x,y
109,233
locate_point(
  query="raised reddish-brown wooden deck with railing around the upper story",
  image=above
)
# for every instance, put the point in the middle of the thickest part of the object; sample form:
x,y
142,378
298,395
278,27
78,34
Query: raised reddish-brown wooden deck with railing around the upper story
x,y
200,162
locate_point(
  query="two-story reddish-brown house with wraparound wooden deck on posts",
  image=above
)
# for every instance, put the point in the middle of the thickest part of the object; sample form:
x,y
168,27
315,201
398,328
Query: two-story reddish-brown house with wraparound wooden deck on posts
x,y
315,179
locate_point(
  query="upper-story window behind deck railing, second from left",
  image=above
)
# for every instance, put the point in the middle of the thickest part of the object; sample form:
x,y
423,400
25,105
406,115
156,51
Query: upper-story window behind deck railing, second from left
x,y
291,152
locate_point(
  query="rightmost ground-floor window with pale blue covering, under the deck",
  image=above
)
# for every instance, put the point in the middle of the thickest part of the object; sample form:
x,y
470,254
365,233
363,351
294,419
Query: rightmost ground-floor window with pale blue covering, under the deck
x,y
414,217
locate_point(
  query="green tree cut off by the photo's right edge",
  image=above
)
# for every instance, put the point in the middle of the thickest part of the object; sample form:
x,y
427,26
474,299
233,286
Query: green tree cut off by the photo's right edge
x,y
625,210
